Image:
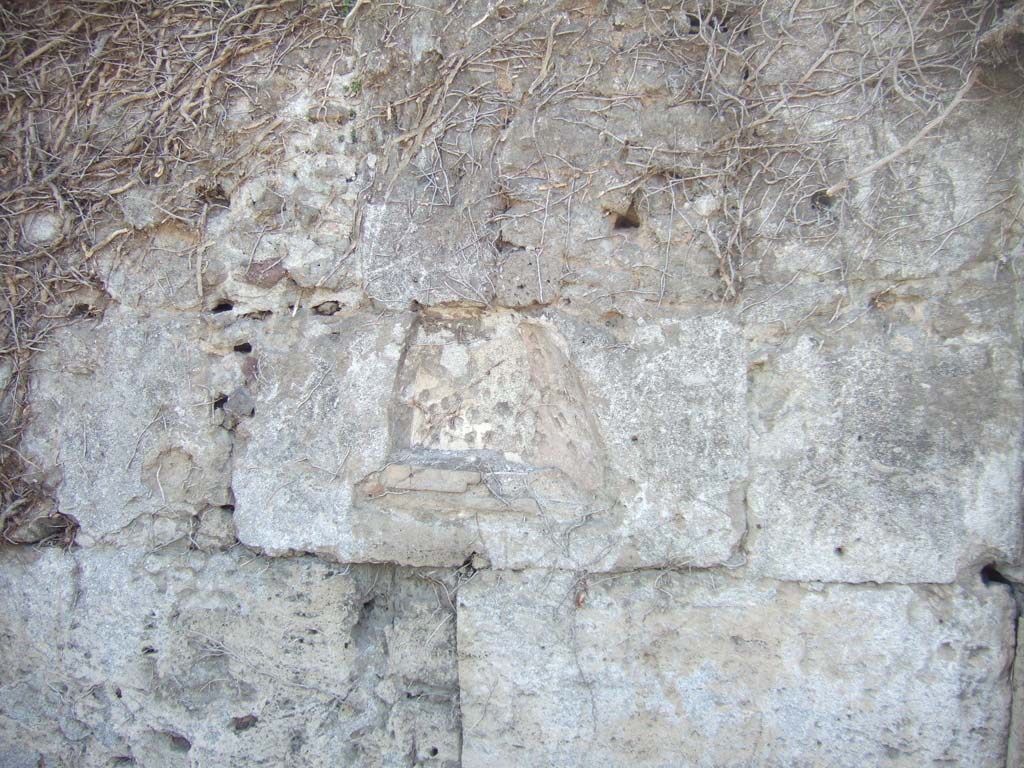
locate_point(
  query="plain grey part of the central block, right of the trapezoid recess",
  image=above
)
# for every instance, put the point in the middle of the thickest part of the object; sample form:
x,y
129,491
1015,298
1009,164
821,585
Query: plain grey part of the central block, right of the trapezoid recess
x,y
674,419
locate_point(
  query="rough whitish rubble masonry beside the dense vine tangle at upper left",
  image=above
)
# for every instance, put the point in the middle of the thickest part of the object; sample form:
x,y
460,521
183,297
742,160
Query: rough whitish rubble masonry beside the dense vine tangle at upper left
x,y
272,236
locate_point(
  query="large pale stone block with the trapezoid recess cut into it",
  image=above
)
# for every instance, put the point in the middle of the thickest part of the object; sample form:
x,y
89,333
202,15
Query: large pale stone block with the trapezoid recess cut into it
x,y
528,439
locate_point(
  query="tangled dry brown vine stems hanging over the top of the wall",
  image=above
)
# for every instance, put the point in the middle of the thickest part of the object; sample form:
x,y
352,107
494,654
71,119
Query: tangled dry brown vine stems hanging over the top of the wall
x,y
101,97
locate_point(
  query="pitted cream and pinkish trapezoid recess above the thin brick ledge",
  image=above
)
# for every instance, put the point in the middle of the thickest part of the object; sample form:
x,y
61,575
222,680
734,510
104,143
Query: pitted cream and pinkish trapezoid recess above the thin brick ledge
x,y
493,381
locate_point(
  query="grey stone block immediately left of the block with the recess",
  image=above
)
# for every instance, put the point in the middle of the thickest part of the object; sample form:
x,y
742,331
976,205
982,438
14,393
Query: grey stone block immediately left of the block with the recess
x,y
124,424
